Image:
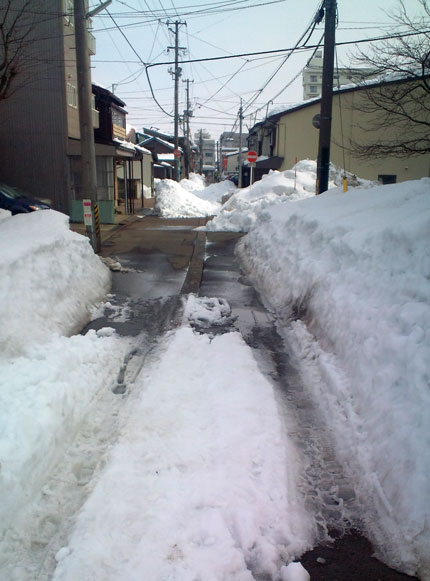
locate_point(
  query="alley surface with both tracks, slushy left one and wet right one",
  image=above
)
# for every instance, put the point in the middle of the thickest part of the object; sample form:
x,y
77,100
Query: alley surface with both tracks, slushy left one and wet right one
x,y
155,264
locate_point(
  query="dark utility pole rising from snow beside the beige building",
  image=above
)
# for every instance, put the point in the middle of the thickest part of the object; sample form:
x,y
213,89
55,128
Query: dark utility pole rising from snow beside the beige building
x,y
323,165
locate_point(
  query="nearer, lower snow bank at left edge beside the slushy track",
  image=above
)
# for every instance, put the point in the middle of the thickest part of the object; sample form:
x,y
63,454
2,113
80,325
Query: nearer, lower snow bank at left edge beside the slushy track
x,y
44,398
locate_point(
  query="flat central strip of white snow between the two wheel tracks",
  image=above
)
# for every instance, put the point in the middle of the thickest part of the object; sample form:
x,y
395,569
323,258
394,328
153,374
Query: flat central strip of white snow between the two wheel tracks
x,y
202,483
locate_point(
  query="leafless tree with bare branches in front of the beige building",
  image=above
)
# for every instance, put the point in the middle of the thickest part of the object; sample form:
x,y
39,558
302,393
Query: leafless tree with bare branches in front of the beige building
x,y
400,104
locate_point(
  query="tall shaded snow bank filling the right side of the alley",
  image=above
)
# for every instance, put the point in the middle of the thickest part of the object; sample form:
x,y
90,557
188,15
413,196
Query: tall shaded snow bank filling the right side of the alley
x,y
351,271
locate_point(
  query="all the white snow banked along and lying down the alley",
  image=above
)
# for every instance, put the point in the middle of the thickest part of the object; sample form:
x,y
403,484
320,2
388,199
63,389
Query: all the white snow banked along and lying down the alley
x,y
202,480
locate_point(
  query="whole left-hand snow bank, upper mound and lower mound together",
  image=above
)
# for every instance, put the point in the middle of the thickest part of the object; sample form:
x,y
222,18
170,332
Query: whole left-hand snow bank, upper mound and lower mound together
x,y
49,282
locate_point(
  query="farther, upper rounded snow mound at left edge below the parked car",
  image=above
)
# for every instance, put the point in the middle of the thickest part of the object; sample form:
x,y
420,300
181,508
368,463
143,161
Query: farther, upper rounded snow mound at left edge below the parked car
x,y
49,277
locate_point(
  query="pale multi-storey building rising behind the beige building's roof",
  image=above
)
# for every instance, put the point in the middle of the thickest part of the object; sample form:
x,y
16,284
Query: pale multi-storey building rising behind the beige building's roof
x,y
312,76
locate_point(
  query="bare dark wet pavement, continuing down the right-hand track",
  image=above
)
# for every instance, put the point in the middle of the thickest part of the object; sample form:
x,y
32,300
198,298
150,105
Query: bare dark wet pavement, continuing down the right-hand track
x,y
163,260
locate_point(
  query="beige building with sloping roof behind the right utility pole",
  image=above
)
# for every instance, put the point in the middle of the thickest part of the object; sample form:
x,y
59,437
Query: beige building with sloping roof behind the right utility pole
x,y
289,136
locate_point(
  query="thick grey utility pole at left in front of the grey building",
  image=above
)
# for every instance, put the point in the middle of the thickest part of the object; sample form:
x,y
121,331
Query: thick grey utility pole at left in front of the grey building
x,y
88,152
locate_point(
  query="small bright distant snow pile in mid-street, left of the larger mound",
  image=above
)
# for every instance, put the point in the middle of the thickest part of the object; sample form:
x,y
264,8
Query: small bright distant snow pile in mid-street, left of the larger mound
x,y
190,198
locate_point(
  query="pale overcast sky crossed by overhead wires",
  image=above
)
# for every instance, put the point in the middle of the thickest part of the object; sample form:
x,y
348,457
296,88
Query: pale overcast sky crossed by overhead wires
x,y
136,33
